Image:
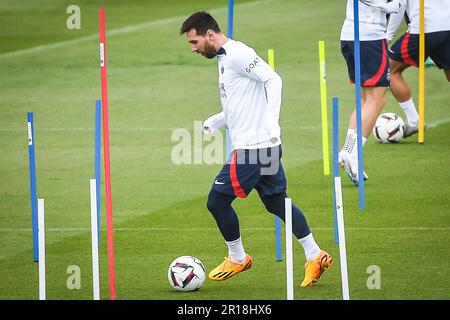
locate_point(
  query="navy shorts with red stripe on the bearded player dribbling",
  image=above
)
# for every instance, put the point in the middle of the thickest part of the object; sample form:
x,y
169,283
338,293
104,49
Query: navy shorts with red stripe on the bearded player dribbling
x,y
247,169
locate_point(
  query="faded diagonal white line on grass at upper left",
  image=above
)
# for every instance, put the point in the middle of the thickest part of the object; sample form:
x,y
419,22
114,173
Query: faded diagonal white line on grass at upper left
x,y
112,32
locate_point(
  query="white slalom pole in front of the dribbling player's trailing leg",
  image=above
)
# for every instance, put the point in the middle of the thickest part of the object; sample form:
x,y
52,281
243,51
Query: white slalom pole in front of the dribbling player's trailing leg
x,y
289,255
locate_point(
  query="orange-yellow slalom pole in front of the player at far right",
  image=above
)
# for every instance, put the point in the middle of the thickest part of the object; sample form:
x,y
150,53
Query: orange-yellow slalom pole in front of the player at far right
x,y
422,73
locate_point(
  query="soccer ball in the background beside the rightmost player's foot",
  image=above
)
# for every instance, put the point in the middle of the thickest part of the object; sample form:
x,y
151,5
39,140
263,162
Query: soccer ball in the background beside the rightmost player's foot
x,y
388,128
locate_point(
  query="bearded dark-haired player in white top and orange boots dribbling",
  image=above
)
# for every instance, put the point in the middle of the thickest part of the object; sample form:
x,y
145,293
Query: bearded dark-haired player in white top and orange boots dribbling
x,y
250,94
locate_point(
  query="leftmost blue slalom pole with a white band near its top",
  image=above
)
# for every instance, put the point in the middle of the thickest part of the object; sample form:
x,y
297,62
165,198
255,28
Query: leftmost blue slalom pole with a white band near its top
x,y
31,159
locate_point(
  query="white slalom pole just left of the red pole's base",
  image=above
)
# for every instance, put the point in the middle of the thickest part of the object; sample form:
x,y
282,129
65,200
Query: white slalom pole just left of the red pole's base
x,y
94,236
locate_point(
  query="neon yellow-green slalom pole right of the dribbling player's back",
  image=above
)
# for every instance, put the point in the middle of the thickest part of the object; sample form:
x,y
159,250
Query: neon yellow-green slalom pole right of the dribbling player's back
x,y
323,103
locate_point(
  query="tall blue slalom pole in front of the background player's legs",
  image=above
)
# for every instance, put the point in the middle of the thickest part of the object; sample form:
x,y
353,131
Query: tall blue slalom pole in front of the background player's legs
x,y
358,106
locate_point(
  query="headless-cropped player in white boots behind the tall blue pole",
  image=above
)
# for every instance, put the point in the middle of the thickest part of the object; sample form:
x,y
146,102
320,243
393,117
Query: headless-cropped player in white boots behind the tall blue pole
x,y
374,71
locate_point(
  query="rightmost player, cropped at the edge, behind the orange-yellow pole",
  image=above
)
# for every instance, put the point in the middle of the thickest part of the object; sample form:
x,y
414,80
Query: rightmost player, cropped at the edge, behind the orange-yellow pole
x,y
404,53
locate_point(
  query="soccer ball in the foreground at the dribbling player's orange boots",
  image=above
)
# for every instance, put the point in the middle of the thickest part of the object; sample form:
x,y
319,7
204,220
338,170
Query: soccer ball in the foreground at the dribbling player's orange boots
x,y
186,273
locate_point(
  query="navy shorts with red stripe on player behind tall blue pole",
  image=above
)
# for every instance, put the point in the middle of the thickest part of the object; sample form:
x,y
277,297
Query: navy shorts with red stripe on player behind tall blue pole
x,y
374,62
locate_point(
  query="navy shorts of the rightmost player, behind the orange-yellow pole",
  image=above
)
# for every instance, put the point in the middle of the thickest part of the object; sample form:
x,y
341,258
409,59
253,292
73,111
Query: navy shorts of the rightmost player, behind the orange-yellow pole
x,y
437,46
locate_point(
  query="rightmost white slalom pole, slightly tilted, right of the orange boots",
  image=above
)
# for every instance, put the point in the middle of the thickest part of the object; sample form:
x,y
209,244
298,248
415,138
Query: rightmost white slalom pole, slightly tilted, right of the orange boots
x,y
341,232
